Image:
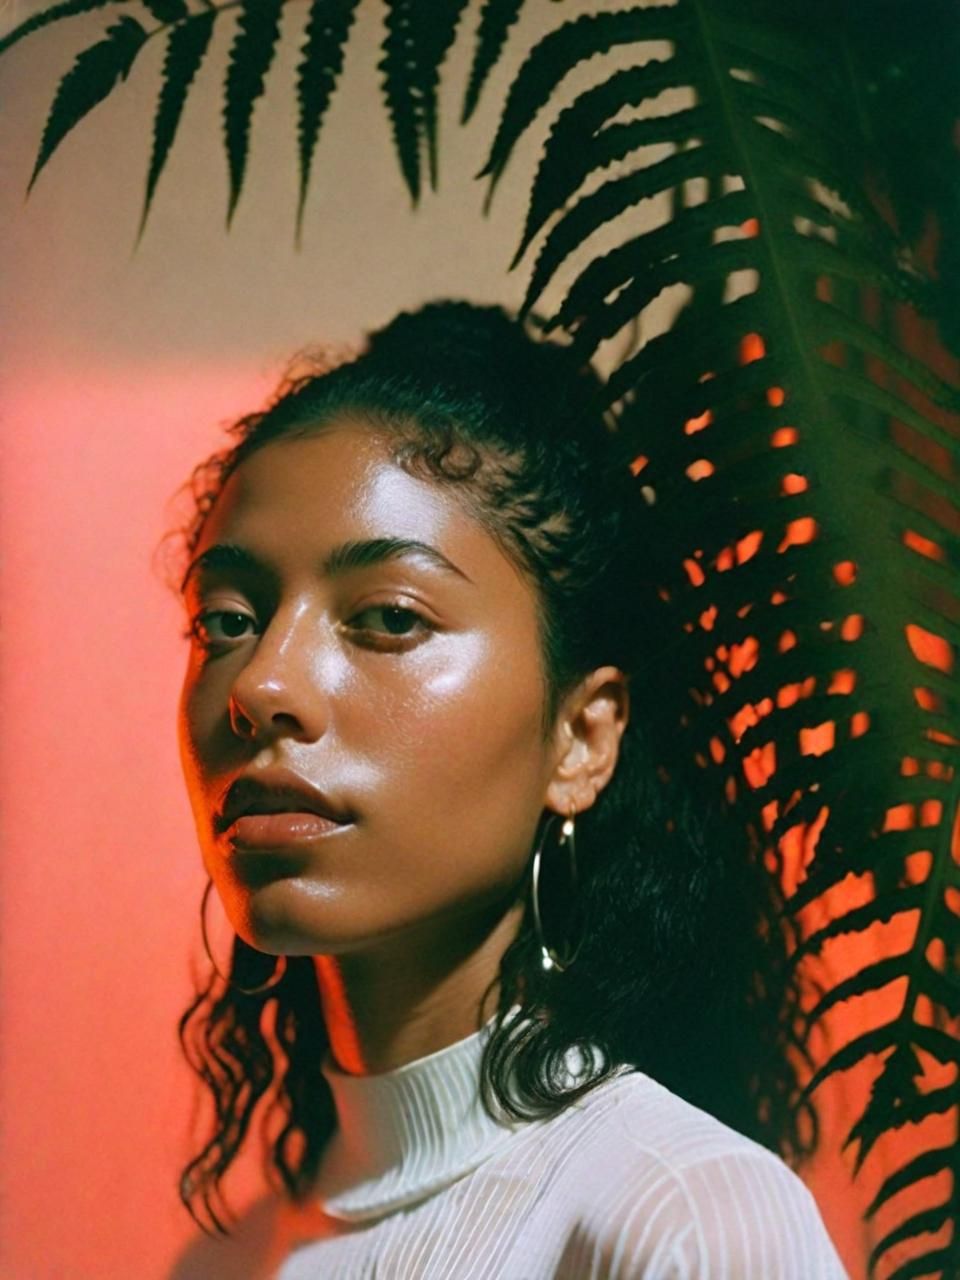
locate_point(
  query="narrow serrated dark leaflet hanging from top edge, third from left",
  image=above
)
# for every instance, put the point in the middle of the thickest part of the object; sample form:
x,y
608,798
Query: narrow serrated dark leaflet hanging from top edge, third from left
x,y
255,44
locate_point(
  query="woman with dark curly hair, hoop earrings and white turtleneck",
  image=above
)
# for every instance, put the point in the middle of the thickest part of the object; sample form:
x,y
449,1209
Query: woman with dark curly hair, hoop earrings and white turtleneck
x,y
491,968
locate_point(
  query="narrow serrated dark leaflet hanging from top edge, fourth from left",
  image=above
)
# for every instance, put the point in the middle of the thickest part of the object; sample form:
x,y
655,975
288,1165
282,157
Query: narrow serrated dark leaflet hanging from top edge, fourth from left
x,y
328,28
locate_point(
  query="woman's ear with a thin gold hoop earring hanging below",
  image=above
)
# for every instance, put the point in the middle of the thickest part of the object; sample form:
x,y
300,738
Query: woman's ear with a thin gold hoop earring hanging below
x,y
588,735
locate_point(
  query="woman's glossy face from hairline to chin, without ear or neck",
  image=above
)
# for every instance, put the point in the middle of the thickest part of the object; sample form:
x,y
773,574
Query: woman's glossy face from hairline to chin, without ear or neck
x,y
424,725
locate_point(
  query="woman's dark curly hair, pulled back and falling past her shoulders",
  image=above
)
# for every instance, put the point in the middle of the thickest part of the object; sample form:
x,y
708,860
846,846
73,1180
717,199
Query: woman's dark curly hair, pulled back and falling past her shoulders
x,y
684,968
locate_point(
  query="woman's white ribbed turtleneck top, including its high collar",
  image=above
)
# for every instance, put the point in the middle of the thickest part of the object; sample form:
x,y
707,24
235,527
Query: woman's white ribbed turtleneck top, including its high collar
x,y
633,1182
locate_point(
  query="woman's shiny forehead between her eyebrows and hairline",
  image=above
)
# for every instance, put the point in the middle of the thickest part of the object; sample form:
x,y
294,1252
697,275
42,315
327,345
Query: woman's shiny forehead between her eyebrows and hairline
x,y
300,496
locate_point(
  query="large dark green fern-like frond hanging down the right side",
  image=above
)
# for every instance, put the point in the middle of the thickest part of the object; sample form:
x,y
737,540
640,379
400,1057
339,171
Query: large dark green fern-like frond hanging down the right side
x,y
789,417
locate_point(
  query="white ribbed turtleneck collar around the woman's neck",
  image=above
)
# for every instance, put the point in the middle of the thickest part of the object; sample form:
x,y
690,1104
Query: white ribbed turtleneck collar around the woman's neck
x,y
404,1135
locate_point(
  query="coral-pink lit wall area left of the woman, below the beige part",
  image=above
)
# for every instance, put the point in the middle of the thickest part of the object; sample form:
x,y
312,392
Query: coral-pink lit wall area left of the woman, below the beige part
x,y
102,876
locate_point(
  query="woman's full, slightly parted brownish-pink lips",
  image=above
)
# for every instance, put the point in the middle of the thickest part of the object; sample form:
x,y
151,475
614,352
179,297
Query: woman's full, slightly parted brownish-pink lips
x,y
281,803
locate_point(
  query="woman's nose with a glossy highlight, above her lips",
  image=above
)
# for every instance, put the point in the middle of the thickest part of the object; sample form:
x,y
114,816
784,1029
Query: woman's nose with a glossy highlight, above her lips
x,y
280,692
